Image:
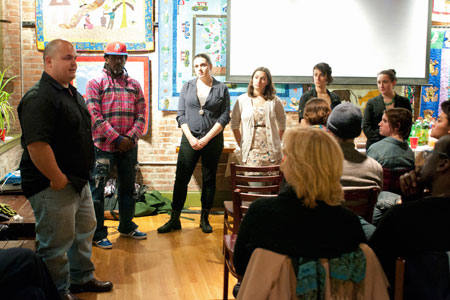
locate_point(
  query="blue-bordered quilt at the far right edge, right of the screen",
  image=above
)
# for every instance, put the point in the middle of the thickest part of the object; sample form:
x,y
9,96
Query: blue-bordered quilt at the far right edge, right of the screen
x,y
438,90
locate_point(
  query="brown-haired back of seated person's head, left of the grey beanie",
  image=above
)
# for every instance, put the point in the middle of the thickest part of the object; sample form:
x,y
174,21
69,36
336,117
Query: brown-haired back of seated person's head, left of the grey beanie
x,y
316,113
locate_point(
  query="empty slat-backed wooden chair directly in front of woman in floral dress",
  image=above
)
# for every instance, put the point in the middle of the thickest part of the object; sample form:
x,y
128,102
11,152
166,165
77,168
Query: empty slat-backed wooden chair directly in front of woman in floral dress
x,y
243,182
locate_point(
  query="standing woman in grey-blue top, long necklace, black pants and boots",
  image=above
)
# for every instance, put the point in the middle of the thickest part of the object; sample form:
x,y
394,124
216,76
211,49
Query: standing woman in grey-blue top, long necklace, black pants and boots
x,y
203,113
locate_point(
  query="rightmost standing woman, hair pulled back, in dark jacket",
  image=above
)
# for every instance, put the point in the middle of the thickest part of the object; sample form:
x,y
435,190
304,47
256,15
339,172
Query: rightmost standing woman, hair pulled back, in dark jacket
x,y
375,107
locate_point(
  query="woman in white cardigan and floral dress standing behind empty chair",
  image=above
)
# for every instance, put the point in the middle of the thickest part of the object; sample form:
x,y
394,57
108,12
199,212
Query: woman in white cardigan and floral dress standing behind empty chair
x,y
258,121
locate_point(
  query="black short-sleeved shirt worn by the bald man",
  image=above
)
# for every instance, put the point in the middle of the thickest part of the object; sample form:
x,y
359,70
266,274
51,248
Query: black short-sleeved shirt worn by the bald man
x,y
58,116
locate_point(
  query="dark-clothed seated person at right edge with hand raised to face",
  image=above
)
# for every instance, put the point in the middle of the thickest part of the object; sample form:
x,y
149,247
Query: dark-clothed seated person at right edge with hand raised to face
x,y
422,223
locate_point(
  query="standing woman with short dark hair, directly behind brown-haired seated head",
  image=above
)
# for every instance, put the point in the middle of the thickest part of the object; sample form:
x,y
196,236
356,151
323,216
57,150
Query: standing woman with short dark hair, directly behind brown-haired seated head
x,y
322,78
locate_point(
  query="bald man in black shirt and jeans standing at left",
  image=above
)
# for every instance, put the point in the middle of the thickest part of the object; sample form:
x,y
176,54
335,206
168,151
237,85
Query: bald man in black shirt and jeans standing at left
x,y
55,166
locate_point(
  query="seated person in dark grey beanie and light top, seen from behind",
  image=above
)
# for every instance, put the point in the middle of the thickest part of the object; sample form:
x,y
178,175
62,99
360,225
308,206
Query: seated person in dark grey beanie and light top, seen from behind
x,y
359,171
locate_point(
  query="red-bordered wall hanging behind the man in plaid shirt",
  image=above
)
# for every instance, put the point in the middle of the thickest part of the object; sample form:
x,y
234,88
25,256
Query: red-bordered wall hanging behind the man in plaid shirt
x,y
138,67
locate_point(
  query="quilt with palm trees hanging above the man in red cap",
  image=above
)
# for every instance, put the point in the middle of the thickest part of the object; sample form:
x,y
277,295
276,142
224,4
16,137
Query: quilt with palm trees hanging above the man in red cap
x,y
91,24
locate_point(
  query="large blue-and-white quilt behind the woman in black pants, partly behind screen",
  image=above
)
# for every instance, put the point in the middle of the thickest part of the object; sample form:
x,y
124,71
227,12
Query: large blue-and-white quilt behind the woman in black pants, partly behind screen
x,y
188,27
